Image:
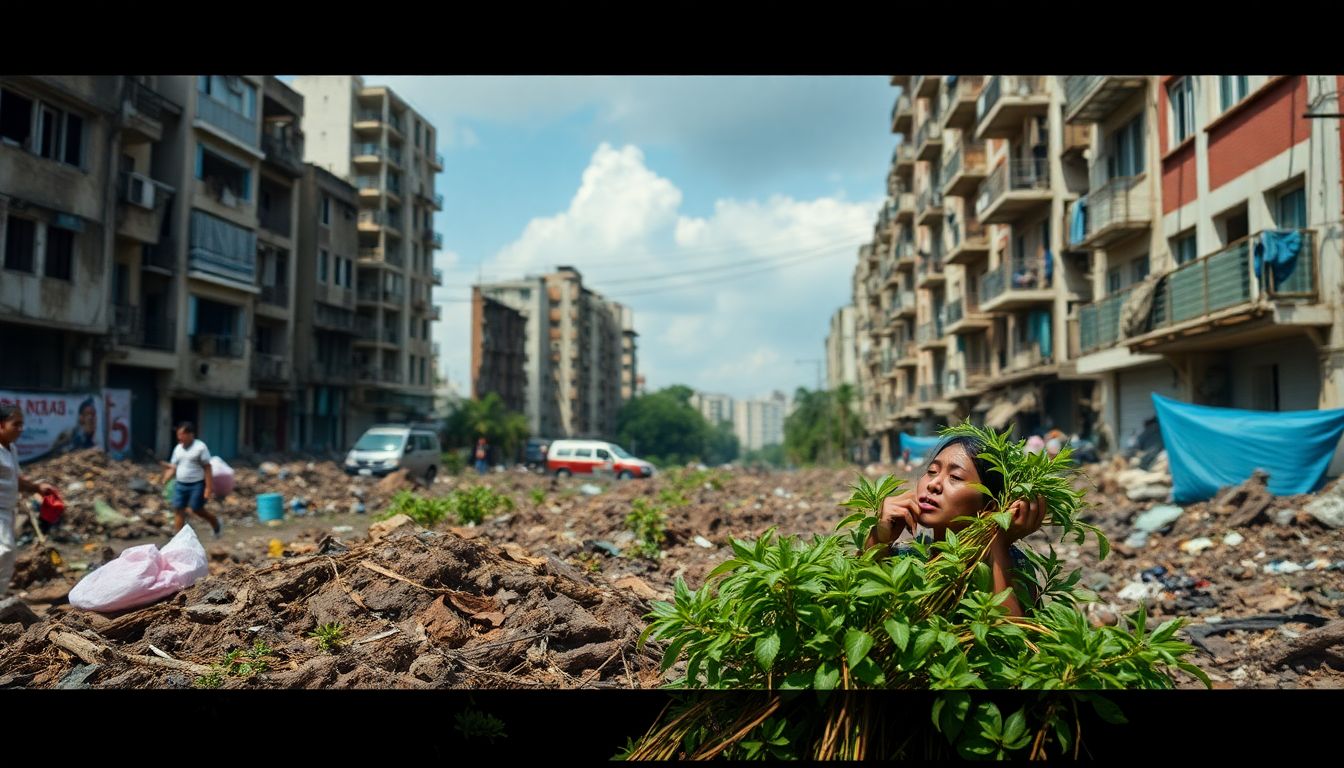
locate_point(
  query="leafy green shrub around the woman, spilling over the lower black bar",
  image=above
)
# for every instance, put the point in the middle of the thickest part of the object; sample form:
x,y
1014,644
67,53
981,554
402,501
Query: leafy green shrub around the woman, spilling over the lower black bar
x,y
786,614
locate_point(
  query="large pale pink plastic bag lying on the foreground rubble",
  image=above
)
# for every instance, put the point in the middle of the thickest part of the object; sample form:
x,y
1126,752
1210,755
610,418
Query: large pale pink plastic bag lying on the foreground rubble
x,y
142,575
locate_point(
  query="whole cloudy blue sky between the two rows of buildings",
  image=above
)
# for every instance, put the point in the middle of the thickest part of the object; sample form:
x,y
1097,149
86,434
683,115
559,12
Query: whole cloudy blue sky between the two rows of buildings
x,y
726,212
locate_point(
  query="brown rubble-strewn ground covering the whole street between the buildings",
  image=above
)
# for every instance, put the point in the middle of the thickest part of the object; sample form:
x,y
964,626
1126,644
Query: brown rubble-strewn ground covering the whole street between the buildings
x,y
552,594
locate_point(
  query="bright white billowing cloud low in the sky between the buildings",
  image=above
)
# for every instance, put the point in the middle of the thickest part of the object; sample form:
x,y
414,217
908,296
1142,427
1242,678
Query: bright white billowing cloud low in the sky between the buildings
x,y
756,282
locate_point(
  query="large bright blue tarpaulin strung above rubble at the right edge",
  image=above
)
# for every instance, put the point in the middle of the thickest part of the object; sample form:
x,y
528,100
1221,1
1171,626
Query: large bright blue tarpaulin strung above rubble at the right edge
x,y
1210,449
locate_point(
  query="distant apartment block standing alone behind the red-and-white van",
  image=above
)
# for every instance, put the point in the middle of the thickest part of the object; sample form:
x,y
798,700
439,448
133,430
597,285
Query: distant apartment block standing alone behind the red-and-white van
x,y
576,350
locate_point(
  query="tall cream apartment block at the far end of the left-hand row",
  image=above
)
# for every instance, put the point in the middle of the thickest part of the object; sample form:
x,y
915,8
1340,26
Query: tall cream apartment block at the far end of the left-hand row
x,y
372,138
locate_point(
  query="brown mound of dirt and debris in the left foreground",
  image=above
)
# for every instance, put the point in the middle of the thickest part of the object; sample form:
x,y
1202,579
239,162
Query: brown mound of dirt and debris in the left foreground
x,y
415,609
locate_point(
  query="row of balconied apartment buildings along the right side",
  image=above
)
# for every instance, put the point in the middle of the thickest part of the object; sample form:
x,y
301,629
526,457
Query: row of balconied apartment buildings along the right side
x,y
1073,244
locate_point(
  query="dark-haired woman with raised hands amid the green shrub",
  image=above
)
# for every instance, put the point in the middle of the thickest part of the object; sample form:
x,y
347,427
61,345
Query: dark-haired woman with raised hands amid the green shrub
x,y
956,486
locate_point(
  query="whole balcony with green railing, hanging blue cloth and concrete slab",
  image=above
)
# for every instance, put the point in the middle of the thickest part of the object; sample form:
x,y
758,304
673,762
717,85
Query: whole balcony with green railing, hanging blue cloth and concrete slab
x,y
1200,305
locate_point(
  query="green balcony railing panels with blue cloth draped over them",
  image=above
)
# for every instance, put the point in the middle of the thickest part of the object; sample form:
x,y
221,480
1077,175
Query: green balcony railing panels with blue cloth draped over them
x,y
1232,276
